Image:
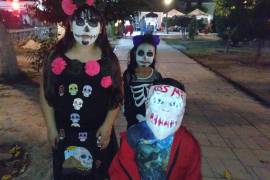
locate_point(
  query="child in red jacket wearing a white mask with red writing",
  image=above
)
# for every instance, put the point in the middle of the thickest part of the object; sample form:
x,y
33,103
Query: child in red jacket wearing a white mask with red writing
x,y
159,148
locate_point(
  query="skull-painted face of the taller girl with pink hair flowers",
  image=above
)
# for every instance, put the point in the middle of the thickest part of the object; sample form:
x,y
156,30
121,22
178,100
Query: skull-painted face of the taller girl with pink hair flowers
x,y
85,29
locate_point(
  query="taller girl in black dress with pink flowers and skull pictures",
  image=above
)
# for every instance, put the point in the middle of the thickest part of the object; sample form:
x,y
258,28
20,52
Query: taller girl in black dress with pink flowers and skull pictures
x,y
80,96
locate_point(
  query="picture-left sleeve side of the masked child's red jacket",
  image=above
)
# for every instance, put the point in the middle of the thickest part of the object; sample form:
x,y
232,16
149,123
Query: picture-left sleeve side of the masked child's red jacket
x,y
124,165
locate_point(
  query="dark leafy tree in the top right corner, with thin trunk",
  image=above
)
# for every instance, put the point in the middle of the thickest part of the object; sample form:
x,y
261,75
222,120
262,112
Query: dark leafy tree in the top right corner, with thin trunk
x,y
243,20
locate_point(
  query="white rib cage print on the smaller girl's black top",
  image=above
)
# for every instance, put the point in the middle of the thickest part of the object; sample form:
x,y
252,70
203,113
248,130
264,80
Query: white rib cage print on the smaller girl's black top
x,y
140,93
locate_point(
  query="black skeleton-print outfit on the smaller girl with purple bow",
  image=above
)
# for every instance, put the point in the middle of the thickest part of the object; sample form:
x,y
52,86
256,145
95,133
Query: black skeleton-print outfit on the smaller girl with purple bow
x,y
135,94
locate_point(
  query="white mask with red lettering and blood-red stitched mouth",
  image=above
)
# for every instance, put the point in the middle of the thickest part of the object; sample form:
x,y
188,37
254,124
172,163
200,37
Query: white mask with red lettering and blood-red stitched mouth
x,y
165,110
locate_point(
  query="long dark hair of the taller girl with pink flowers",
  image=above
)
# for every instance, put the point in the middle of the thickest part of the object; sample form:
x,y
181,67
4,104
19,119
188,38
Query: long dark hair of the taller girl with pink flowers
x,y
111,66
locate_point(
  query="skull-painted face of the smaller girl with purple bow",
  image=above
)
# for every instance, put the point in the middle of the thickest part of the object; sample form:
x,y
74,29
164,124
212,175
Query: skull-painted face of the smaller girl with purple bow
x,y
145,54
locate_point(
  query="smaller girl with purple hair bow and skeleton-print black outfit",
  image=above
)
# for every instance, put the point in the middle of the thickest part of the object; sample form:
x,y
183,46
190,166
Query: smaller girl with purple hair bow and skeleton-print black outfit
x,y
140,74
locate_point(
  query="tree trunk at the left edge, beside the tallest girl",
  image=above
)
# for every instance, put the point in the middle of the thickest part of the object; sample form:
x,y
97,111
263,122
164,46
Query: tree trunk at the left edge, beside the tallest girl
x,y
8,61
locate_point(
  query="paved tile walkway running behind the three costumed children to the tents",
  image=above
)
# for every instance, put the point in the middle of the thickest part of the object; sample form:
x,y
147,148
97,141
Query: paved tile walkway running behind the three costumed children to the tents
x,y
232,129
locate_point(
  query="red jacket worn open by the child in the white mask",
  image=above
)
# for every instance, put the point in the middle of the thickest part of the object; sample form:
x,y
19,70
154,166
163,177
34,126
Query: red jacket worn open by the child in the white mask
x,y
184,162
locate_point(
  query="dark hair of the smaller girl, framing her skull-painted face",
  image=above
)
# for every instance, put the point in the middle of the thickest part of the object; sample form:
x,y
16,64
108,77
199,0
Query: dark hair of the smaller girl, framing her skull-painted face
x,y
148,39
